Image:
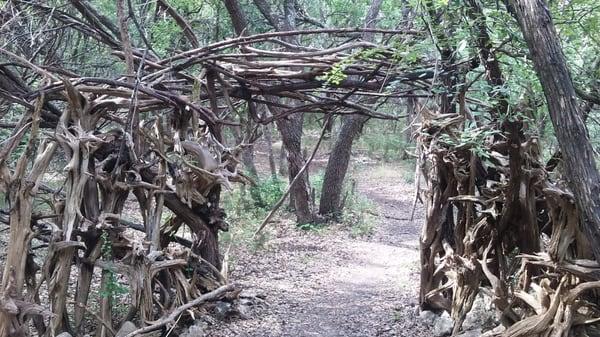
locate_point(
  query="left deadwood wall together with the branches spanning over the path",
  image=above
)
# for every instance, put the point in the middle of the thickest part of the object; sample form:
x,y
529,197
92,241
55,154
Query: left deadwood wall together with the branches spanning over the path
x,y
151,143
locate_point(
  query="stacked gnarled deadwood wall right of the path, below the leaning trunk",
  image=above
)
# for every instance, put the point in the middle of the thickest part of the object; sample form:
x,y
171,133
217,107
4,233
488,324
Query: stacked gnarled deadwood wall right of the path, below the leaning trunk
x,y
501,221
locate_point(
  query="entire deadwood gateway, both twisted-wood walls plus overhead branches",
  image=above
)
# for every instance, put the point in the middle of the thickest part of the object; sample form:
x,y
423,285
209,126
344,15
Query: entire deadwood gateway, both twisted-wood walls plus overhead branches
x,y
497,217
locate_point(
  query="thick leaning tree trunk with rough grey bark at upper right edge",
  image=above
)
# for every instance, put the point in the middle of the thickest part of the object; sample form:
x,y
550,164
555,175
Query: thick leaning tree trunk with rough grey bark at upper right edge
x,y
550,64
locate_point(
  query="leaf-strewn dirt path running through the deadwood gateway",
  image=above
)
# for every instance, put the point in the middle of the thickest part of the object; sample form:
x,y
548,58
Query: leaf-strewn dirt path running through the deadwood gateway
x,y
332,285
